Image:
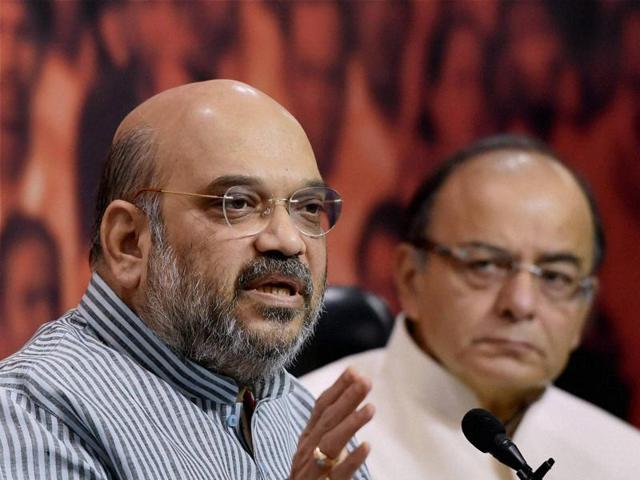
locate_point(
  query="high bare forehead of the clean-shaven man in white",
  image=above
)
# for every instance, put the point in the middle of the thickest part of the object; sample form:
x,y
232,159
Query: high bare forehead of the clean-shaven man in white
x,y
519,201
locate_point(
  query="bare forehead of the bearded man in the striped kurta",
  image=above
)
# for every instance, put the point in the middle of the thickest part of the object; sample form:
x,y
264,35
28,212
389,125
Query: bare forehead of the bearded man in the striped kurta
x,y
205,142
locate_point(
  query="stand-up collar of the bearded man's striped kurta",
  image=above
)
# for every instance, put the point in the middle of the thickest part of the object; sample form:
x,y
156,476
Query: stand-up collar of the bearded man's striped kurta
x,y
116,325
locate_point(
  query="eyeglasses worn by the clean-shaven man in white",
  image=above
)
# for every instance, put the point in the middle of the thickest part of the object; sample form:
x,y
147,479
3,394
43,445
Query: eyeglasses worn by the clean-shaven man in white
x,y
483,267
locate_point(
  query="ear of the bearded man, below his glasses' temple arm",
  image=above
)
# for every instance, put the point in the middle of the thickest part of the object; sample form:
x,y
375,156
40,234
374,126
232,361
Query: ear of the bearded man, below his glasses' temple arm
x,y
126,242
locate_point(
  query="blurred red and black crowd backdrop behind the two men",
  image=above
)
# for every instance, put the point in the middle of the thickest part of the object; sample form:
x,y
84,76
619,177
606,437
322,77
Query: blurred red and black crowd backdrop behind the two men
x,y
385,91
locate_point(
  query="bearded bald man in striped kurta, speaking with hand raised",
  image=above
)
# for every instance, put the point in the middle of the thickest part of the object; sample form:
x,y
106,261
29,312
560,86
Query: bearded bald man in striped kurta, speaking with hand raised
x,y
209,266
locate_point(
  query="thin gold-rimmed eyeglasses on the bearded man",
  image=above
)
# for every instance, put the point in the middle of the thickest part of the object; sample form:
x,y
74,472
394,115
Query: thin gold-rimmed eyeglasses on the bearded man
x,y
313,210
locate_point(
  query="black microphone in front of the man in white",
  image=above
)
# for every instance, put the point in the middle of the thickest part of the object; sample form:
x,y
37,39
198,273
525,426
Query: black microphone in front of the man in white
x,y
487,434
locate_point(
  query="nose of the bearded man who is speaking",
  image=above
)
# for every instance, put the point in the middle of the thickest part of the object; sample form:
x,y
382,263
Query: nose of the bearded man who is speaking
x,y
280,234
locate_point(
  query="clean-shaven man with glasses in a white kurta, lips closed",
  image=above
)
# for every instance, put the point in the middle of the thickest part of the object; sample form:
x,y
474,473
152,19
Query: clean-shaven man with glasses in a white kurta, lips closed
x,y
496,277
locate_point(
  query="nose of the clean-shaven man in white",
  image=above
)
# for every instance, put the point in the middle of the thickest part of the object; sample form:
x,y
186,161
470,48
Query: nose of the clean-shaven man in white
x,y
518,297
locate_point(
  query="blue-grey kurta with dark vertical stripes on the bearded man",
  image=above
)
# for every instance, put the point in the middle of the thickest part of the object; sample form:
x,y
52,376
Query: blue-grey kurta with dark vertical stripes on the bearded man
x,y
96,394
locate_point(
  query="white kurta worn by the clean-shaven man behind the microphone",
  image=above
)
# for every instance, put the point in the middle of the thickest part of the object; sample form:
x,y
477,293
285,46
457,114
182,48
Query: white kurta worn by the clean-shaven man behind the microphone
x,y
416,433
